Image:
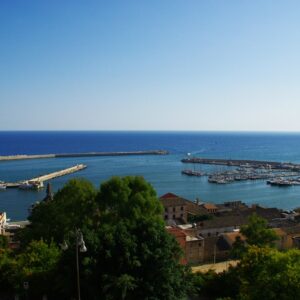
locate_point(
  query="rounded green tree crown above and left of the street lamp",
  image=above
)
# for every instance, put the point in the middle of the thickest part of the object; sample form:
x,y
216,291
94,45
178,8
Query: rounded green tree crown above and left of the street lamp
x,y
73,207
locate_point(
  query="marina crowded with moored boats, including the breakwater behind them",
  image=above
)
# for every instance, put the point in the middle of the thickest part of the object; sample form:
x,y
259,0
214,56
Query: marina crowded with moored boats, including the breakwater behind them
x,y
275,173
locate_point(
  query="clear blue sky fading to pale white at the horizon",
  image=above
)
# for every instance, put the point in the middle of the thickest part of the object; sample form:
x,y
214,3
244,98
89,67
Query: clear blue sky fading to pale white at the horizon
x,y
150,65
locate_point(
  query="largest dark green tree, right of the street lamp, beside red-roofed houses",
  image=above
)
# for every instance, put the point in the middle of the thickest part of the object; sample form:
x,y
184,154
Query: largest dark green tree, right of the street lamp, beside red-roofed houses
x,y
136,258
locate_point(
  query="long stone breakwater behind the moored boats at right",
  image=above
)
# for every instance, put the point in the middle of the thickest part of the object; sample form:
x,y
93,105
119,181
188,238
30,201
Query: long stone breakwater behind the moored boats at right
x,y
256,164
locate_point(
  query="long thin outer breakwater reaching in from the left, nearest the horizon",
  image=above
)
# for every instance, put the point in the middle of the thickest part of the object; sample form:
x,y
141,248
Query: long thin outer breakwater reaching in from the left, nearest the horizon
x,y
84,154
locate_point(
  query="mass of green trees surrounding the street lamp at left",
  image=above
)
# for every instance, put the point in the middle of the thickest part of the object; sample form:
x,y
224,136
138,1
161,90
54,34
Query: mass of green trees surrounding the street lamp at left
x,y
130,255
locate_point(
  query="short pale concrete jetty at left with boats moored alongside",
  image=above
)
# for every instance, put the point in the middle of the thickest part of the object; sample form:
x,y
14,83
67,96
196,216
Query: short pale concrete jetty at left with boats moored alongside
x,y
37,182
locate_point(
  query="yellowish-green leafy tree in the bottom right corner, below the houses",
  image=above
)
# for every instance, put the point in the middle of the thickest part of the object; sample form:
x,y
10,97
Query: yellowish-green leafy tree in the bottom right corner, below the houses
x,y
266,273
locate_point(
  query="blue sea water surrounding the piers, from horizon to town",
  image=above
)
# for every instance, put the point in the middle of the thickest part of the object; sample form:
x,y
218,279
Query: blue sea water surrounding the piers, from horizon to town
x,y
163,172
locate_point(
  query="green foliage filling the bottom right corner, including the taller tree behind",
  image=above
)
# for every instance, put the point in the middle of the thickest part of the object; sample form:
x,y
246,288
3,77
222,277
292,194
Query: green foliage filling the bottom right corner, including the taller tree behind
x,y
262,273
